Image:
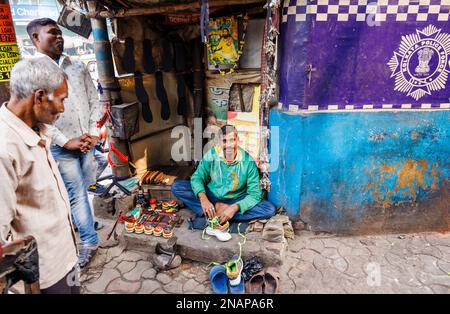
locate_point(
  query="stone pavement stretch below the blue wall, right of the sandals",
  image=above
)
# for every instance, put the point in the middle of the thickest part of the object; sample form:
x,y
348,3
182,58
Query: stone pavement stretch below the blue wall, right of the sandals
x,y
413,263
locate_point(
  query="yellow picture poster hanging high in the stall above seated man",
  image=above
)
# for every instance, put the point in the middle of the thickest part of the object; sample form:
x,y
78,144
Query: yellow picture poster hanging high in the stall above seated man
x,y
223,43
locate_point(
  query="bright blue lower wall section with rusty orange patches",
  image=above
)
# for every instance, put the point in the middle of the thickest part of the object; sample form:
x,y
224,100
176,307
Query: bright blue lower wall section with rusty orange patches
x,y
364,172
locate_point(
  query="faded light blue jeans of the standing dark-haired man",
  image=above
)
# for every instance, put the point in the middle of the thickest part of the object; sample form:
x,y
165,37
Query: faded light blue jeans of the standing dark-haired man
x,y
78,172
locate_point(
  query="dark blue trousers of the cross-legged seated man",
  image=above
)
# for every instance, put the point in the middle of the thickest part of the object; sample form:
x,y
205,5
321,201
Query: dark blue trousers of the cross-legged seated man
x,y
183,191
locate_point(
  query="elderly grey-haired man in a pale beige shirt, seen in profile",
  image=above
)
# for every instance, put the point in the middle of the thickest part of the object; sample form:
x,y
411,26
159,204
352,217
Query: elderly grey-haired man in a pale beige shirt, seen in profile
x,y
33,197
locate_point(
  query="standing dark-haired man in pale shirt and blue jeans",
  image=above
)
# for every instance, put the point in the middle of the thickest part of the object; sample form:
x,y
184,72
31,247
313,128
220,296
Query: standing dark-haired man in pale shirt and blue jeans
x,y
73,134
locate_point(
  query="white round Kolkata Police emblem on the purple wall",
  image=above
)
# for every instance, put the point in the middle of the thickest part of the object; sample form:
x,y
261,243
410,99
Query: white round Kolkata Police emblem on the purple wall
x,y
421,65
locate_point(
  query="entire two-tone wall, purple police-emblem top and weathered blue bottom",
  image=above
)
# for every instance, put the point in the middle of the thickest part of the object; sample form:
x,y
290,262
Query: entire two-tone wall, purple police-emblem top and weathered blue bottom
x,y
380,170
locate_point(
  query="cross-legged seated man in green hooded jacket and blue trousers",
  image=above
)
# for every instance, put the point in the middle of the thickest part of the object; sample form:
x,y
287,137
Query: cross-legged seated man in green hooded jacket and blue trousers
x,y
225,184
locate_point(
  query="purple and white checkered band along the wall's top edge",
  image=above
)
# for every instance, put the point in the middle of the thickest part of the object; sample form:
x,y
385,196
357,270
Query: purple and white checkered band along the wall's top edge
x,y
362,10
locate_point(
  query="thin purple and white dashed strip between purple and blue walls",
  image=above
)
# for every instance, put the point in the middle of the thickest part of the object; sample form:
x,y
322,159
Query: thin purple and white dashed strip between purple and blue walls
x,y
294,108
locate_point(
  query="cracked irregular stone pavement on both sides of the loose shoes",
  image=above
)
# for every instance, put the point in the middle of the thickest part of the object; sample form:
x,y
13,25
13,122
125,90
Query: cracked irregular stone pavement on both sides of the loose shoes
x,y
412,263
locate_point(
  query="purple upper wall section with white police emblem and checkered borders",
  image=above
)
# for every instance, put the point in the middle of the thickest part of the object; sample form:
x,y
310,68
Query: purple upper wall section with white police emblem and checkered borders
x,y
377,55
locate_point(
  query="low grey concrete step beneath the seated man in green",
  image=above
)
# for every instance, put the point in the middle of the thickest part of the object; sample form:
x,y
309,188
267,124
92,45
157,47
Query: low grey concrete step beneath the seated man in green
x,y
191,246
